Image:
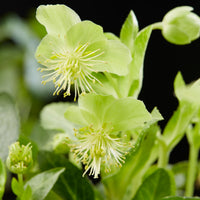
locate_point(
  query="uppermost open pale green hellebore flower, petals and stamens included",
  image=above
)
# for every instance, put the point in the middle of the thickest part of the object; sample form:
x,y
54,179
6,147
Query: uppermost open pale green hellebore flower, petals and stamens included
x,y
74,50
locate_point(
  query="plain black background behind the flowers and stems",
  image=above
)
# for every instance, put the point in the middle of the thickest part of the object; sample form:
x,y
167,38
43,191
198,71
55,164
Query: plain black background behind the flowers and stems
x,y
163,60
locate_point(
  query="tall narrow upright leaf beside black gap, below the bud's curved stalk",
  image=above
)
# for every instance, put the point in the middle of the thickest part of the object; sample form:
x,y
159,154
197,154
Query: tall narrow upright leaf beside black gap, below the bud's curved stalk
x,y
131,84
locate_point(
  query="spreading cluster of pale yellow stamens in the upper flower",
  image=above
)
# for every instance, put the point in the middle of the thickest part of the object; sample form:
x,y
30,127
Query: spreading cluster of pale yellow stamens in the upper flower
x,y
72,67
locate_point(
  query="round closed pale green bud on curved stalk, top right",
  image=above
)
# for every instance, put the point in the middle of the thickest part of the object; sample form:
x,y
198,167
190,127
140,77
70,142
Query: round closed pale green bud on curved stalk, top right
x,y
181,26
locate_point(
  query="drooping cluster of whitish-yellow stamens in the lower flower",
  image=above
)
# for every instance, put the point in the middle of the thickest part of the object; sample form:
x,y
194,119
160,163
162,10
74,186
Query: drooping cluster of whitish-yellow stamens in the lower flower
x,y
97,147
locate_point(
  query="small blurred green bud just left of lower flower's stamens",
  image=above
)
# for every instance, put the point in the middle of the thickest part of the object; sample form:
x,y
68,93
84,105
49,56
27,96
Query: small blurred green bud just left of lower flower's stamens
x,y
61,143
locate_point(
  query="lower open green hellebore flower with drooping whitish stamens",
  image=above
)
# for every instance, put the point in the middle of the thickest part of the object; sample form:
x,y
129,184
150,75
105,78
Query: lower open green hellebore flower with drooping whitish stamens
x,y
102,119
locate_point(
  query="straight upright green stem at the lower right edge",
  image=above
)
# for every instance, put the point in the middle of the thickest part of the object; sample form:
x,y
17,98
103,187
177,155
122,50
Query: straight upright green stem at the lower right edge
x,y
192,170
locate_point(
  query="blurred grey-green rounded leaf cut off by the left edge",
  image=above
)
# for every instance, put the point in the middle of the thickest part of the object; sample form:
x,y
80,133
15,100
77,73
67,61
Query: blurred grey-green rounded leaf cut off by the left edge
x,y
9,123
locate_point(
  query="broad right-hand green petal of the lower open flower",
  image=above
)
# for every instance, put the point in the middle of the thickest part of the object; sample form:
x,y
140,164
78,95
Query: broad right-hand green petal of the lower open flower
x,y
127,113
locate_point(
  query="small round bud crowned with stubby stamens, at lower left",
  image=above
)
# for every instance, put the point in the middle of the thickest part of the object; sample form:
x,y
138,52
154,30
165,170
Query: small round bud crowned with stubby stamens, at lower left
x,y
19,158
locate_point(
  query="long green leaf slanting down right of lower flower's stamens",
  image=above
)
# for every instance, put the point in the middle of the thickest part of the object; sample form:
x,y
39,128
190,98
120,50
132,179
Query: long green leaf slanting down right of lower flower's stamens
x,y
125,183
